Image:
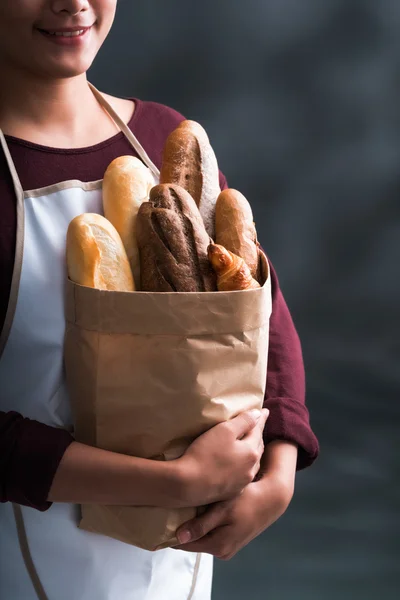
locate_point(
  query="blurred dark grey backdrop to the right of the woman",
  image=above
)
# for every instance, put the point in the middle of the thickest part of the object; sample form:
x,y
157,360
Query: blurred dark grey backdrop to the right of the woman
x,y
300,99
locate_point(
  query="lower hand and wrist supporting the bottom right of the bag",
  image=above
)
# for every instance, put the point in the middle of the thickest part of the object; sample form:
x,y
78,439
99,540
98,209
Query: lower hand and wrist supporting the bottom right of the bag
x,y
228,526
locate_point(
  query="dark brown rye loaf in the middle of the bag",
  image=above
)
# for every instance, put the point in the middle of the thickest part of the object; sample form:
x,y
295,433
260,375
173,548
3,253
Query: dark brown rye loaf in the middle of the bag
x,y
173,243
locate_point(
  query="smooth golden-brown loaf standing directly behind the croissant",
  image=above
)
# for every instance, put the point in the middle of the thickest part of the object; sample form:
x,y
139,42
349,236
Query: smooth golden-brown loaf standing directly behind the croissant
x,y
235,228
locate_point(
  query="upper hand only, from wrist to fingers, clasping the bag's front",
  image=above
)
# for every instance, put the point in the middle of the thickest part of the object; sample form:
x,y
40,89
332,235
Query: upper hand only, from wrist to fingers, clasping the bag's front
x,y
223,461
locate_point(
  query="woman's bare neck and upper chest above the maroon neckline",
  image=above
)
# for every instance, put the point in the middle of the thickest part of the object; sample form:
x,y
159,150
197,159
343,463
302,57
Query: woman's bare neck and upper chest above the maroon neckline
x,y
60,113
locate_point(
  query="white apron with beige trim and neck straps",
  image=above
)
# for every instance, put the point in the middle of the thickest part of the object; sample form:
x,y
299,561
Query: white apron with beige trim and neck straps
x,y
45,555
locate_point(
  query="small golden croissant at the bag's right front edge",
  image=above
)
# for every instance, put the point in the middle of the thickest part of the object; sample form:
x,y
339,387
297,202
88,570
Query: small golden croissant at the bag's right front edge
x,y
232,271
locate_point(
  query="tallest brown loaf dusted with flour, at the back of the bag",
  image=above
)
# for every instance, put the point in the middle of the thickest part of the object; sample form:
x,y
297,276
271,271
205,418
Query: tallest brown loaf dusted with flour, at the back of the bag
x,y
189,161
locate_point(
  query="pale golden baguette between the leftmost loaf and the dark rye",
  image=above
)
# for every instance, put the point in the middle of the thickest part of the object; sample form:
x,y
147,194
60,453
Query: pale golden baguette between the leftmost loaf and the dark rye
x,y
126,185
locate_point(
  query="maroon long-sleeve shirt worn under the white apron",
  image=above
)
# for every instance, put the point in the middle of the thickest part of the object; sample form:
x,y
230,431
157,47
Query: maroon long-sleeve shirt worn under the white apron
x,y
30,452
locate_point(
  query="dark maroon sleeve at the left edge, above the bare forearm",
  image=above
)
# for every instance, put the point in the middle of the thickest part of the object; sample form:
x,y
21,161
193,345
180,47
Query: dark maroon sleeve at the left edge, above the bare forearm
x,y
30,453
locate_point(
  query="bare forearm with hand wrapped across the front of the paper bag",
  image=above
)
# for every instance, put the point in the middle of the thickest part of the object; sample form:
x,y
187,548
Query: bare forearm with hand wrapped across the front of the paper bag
x,y
217,466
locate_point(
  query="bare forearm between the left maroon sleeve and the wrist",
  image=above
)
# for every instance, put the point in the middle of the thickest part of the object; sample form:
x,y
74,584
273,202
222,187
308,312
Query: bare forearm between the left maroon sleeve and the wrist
x,y
89,475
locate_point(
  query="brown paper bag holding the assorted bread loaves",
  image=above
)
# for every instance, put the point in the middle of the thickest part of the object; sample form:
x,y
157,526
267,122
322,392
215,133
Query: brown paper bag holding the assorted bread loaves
x,y
149,372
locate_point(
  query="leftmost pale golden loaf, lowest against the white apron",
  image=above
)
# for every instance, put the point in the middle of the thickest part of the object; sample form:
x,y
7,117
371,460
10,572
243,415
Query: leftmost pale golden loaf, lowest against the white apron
x,y
96,256
